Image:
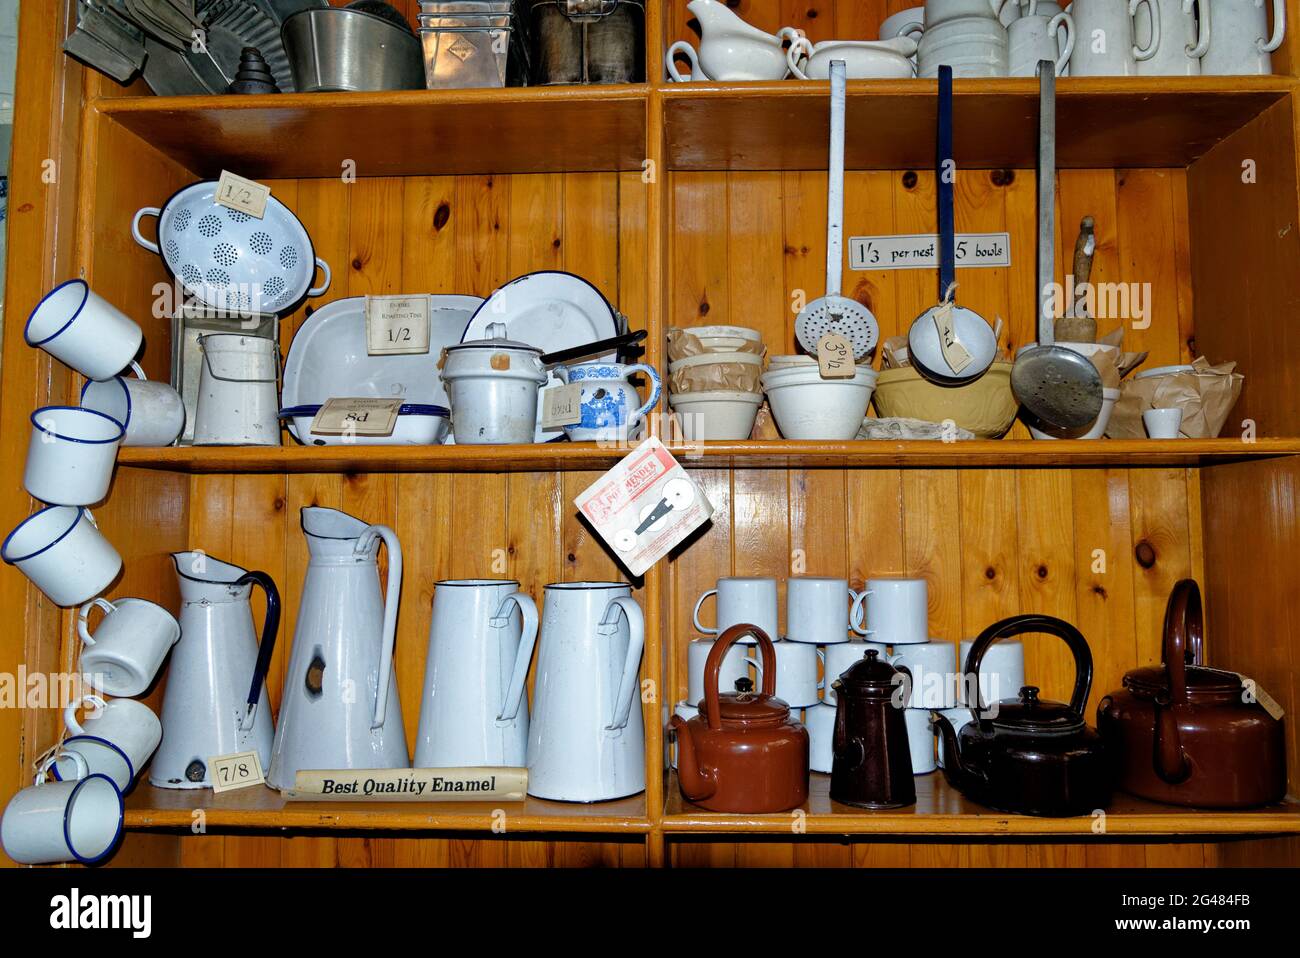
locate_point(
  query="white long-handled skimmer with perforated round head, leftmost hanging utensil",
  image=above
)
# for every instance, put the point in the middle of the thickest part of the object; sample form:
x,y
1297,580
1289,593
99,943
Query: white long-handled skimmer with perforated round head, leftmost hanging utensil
x,y
833,313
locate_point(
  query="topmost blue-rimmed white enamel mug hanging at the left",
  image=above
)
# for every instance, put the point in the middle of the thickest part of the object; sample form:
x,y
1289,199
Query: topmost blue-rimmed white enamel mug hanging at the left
x,y
84,331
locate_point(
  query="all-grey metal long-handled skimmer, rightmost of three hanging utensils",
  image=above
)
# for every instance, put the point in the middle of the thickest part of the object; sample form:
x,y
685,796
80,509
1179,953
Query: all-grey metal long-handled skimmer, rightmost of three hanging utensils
x,y
1061,388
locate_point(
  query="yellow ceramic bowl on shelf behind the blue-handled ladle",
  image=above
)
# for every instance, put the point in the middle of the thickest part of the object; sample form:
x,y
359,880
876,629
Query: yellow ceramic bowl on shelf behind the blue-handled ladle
x,y
987,408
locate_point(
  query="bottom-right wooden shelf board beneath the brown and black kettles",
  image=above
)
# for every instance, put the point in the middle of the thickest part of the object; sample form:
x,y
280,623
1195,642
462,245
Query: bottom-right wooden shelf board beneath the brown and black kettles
x,y
942,812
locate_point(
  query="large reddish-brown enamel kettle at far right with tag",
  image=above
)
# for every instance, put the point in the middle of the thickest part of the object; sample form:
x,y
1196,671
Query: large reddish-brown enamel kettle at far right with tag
x,y
1189,735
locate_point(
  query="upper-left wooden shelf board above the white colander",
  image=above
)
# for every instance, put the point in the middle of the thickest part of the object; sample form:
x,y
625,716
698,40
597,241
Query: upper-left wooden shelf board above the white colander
x,y
397,133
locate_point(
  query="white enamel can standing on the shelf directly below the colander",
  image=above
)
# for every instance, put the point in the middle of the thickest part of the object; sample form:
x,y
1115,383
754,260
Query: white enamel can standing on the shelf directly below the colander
x,y
239,402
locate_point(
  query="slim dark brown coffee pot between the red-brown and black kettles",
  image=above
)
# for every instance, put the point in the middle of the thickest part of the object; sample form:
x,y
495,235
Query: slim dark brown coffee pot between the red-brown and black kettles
x,y
873,764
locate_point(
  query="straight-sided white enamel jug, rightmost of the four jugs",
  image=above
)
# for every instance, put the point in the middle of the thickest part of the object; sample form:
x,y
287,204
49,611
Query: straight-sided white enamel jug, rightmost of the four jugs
x,y
587,743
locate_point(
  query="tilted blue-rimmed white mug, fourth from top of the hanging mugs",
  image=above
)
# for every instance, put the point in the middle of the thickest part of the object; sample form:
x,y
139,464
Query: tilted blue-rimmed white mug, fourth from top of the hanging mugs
x,y
64,554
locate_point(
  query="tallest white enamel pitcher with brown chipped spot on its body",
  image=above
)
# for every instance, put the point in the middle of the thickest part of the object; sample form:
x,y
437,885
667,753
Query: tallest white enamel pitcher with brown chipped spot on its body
x,y
340,709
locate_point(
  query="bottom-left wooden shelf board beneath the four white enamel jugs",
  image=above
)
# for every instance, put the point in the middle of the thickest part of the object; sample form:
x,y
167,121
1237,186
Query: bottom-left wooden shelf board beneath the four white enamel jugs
x,y
262,808
